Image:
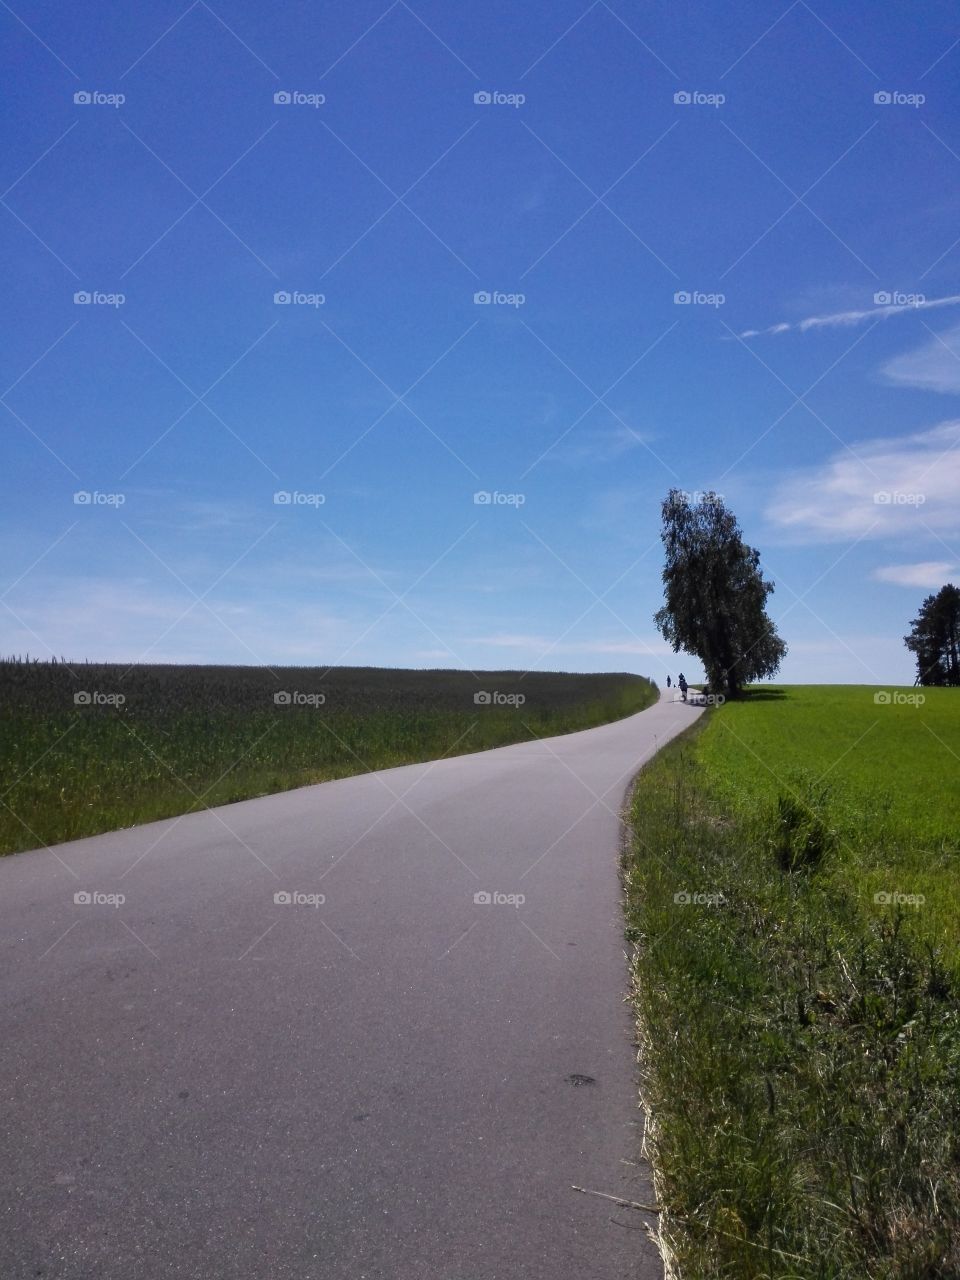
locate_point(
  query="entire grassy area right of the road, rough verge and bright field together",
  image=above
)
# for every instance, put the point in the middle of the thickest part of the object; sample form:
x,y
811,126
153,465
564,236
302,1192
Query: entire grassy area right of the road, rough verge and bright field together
x,y
802,1039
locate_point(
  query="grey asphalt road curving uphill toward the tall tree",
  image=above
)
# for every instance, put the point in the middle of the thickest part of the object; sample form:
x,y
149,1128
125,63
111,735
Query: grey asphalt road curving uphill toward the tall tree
x,y
397,1084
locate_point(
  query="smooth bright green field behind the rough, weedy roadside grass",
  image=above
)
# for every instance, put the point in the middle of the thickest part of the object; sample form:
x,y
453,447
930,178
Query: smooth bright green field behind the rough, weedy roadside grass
x,y
886,776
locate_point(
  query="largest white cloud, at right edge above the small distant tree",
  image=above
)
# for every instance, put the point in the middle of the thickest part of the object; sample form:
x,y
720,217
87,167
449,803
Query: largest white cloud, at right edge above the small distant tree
x,y
877,490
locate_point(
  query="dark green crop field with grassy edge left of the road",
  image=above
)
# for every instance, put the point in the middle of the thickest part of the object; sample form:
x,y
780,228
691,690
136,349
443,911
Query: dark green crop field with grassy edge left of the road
x,y
90,748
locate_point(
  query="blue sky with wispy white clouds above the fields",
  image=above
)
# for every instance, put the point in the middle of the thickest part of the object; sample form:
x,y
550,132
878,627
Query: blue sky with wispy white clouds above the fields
x,y
621,159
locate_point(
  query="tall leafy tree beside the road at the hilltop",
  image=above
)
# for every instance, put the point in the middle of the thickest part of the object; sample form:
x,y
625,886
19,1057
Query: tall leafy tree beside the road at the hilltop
x,y
715,595
